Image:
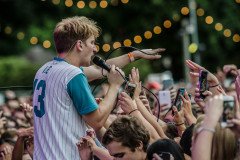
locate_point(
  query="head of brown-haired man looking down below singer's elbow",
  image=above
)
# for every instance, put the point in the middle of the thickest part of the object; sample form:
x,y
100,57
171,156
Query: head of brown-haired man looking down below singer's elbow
x,y
126,139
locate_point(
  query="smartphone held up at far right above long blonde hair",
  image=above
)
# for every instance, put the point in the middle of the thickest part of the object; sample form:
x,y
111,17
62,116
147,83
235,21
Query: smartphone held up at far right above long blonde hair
x,y
228,111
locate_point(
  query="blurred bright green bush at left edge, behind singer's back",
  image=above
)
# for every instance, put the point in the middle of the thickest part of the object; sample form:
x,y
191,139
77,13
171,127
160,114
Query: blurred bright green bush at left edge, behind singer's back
x,y
15,71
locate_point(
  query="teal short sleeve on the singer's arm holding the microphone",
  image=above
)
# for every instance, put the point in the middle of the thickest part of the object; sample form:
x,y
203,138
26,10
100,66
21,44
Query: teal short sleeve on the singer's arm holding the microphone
x,y
80,93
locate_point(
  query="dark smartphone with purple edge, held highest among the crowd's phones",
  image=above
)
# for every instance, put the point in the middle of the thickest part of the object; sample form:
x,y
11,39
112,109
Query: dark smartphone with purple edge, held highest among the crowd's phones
x,y
203,84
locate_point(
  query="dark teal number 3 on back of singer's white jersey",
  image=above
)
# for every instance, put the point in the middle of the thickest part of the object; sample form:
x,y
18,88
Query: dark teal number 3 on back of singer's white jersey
x,y
37,86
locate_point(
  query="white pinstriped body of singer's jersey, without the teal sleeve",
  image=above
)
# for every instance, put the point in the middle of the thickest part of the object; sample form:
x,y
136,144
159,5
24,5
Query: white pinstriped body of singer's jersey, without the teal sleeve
x,y
58,125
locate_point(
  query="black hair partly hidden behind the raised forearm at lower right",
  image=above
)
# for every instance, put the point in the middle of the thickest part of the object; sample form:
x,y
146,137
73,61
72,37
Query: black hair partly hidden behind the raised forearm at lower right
x,y
186,140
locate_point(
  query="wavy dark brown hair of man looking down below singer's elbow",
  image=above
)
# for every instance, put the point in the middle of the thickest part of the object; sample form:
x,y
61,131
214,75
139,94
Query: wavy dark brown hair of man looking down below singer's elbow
x,y
129,131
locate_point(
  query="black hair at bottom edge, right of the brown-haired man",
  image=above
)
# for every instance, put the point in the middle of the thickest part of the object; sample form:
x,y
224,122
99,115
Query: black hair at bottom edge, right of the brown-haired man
x,y
165,145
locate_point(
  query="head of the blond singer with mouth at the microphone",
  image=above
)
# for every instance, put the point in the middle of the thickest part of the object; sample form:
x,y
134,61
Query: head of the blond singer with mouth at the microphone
x,y
77,32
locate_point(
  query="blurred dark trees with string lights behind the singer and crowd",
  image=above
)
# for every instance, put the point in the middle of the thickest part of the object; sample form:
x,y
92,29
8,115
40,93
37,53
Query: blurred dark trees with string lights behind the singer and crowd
x,y
26,28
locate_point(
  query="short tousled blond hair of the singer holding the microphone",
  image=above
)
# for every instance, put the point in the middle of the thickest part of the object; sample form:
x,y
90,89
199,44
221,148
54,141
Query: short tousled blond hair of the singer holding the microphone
x,y
69,30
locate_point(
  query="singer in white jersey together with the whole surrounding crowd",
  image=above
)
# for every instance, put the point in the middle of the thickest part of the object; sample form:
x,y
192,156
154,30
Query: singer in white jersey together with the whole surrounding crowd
x,y
63,119
